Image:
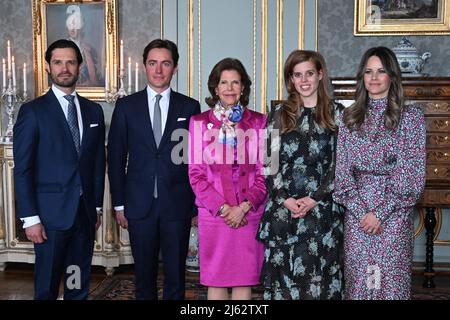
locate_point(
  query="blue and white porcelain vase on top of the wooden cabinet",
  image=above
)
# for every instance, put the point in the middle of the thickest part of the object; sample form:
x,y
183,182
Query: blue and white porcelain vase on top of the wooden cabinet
x,y
410,61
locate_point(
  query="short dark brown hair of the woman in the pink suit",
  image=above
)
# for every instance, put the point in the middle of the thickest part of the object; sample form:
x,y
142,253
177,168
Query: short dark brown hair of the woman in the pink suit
x,y
214,78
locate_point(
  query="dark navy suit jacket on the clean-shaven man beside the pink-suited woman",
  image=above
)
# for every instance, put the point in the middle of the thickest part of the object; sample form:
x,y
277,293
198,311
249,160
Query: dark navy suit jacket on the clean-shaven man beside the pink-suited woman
x,y
131,139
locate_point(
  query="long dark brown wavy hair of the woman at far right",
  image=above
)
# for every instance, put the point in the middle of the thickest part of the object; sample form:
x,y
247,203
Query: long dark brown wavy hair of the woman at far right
x,y
355,115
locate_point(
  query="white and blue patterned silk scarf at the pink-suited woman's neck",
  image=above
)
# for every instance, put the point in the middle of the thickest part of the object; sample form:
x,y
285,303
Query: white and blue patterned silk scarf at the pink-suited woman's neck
x,y
229,118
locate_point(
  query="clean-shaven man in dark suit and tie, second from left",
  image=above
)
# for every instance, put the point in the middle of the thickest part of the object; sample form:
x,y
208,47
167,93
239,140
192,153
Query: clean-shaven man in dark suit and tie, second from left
x,y
151,194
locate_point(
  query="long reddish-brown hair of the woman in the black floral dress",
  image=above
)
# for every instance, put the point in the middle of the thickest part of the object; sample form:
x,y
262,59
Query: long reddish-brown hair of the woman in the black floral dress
x,y
291,110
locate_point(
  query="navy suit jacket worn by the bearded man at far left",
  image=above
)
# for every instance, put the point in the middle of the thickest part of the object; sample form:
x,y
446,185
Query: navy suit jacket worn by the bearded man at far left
x,y
48,175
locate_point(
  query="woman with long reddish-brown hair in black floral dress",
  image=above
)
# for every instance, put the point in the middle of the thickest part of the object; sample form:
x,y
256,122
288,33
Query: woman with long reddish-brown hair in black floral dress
x,y
302,228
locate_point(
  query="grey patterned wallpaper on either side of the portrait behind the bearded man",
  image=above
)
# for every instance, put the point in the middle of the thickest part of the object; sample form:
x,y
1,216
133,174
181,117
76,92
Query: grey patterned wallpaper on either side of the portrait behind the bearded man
x,y
139,23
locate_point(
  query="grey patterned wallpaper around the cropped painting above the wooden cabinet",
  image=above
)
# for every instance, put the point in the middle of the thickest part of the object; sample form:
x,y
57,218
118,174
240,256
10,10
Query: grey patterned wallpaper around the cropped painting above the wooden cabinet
x,y
342,50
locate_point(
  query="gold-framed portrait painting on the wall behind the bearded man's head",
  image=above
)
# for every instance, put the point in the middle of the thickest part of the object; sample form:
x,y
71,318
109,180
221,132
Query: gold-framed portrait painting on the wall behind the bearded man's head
x,y
92,25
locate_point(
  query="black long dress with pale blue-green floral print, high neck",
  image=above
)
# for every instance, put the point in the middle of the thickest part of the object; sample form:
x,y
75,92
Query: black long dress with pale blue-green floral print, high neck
x,y
303,256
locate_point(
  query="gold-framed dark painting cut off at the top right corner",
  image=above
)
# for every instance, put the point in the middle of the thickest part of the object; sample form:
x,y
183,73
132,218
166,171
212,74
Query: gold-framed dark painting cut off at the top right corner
x,y
401,17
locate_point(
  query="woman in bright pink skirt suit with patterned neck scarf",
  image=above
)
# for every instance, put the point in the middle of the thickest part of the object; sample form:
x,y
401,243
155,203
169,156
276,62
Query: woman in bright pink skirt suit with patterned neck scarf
x,y
225,171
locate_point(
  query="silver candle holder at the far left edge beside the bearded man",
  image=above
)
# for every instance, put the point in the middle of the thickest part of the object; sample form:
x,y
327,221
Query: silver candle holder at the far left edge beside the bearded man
x,y
10,99
